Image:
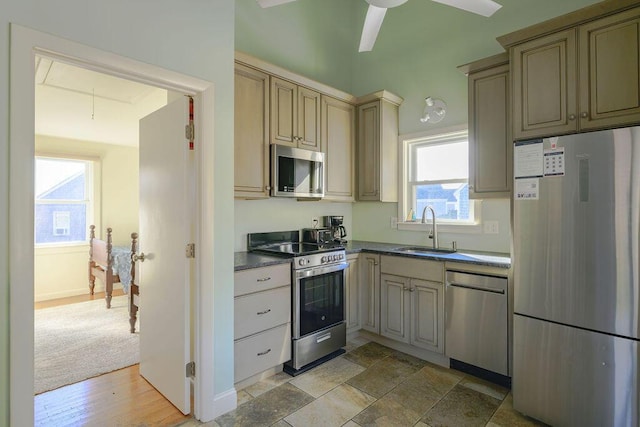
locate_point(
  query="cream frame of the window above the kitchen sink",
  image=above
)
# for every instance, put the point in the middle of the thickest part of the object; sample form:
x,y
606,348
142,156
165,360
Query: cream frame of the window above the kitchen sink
x,y
408,144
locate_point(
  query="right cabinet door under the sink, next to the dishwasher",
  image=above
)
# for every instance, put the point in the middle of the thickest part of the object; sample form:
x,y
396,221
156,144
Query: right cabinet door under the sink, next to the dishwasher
x,y
427,315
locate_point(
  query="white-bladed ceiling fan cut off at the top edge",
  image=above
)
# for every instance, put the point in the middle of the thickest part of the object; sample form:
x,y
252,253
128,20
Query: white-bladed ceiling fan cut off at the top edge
x,y
378,8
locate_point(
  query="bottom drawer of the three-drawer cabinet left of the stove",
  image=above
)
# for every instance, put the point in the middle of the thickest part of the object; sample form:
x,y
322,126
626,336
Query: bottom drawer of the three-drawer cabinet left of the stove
x,y
262,351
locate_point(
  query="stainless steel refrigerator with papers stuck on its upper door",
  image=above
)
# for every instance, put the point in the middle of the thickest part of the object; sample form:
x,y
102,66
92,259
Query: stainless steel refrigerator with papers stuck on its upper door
x,y
576,278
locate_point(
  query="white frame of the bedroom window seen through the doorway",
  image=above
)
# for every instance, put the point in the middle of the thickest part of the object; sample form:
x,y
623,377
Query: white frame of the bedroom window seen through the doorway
x,y
92,194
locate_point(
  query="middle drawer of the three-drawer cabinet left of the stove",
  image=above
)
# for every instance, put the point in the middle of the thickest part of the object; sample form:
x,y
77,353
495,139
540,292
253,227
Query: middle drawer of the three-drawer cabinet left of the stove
x,y
263,310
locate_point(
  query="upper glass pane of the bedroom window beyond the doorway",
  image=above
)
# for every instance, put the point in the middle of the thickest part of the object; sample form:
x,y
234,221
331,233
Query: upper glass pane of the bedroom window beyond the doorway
x,y
60,179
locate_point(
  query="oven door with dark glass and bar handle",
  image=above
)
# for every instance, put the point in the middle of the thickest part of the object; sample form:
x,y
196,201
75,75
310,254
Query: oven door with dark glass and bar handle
x,y
318,298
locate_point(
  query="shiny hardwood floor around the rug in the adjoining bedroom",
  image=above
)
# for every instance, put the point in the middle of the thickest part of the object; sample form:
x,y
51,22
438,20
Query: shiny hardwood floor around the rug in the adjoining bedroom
x,y
119,398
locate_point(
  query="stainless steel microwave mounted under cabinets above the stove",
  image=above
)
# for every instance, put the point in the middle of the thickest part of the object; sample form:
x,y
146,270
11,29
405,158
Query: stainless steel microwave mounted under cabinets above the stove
x,y
296,172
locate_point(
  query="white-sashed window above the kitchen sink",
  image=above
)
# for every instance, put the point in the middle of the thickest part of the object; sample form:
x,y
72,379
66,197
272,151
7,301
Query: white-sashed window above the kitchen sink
x,y
436,171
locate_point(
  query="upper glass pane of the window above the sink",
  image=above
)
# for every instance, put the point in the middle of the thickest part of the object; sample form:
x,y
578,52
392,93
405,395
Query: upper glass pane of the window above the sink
x,y
437,162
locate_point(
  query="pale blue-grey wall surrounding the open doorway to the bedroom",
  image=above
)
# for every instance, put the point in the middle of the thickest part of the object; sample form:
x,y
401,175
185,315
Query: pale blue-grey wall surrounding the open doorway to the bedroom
x,y
194,38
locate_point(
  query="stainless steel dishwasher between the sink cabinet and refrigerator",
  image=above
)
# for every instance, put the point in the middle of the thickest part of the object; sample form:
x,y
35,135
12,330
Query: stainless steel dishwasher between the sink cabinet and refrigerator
x,y
476,324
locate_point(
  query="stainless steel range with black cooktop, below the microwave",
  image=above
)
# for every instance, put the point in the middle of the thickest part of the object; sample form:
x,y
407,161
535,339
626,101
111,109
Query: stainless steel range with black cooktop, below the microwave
x,y
318,277
